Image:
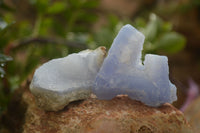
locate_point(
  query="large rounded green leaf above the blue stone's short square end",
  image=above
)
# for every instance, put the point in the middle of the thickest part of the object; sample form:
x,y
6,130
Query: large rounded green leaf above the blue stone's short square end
x,y
171,42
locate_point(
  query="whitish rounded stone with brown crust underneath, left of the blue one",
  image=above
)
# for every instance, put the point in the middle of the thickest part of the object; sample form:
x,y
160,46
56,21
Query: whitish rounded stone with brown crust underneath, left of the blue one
x,y
60,81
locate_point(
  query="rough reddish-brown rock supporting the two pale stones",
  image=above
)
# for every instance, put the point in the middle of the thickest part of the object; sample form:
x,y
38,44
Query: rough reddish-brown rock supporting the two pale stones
x,y
119,115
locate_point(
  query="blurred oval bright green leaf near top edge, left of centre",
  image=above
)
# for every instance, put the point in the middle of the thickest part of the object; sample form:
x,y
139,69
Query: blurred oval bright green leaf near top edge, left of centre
x,y
57,7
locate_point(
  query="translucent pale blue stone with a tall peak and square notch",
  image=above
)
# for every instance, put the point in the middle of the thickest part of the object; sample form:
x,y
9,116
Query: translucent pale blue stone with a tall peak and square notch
x,y
123,72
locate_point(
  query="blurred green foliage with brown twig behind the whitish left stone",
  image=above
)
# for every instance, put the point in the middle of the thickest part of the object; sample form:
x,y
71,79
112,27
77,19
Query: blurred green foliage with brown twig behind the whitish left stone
x,y
35,31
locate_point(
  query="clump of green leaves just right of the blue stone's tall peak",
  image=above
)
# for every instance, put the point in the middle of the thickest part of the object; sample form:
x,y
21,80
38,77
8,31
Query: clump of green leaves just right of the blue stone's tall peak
x,y
160,37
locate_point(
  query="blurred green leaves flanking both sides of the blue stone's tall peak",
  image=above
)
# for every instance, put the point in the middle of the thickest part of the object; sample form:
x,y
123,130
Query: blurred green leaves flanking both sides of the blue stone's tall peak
x,y
159,35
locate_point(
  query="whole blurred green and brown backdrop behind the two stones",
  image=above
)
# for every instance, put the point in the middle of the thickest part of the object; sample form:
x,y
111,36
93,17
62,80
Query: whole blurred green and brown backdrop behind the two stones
x,y
35,31
